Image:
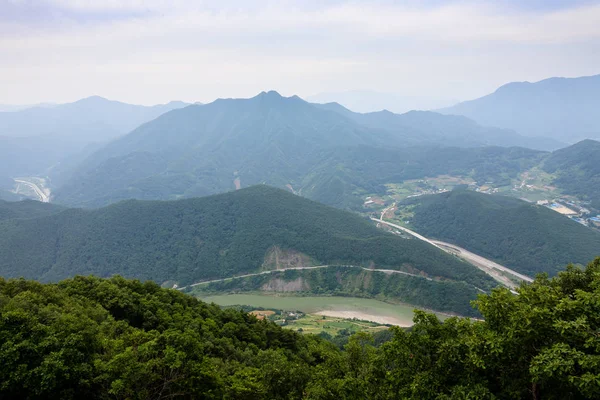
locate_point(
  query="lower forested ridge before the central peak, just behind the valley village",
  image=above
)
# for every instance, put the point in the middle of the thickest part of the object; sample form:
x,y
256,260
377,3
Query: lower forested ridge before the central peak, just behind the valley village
x,y
347,172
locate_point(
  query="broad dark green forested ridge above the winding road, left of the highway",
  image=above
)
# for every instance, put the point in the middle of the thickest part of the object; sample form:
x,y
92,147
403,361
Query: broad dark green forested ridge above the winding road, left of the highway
x,y
218,236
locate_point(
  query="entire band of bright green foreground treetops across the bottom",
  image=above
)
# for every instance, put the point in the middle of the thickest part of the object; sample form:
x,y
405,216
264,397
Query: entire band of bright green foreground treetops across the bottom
x,y
94,338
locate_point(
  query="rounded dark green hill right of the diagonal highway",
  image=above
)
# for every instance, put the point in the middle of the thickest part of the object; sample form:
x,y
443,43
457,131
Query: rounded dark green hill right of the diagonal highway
x,y
523,236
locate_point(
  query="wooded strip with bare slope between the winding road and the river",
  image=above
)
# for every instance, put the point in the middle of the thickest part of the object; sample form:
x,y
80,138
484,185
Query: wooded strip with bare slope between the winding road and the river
x,y
446,296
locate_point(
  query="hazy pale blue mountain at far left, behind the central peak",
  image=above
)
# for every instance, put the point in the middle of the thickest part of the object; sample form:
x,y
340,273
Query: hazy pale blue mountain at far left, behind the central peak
x,y
32,140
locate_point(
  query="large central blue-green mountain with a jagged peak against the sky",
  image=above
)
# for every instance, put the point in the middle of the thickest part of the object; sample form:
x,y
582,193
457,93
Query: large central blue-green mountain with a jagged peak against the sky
x,y
205,149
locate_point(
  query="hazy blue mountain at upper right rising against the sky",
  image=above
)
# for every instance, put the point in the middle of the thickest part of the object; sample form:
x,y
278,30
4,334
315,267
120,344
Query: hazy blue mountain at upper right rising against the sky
x,y
565,109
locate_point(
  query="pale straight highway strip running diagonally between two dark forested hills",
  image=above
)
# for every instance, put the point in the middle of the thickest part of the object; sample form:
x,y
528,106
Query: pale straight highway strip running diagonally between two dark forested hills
x,y
491,268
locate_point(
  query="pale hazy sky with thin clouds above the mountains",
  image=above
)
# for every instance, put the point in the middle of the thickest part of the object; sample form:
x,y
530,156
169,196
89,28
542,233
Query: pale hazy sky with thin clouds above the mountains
x,y
153,51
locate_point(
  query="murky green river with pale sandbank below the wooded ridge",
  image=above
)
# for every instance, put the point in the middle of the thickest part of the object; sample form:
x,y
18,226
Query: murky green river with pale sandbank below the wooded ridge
x,y
339,307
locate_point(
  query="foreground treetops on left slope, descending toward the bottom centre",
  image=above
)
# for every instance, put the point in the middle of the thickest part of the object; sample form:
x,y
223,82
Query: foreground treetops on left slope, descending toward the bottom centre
x,y
106,339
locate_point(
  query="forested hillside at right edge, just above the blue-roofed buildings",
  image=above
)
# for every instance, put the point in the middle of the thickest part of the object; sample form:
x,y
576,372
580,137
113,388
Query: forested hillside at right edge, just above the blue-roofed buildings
x,y
578,170
